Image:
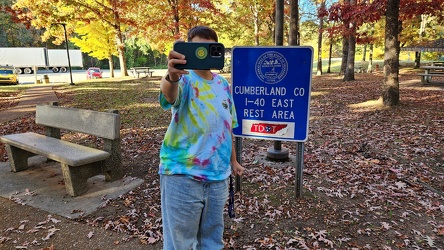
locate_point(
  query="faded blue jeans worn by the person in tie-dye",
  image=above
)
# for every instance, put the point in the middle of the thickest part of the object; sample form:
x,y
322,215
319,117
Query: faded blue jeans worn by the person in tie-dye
x,y
192,212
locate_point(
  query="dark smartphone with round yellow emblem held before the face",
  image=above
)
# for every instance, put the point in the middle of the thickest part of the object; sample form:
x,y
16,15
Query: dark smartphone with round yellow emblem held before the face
x,y
201,55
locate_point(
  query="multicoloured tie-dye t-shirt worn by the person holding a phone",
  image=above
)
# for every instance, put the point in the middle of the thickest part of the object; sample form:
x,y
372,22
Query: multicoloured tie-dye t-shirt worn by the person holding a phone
x,y
198,141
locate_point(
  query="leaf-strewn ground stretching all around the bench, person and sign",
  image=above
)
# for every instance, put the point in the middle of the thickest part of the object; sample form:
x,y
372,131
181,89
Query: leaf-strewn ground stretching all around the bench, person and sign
x,y
373,176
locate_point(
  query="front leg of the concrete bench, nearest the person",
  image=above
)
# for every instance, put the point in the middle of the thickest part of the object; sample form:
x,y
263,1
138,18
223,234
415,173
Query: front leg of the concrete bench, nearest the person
x,y
76,177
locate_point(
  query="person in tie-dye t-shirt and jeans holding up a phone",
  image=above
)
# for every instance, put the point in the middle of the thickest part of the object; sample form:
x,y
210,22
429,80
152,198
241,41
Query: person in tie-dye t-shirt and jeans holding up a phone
x,y
197,154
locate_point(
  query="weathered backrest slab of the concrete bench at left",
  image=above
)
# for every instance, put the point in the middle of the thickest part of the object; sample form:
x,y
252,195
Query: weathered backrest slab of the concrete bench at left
x,y
101,124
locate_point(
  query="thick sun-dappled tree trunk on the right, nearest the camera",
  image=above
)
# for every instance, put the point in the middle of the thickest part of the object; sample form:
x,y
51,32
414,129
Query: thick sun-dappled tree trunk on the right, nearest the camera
x,y
390,87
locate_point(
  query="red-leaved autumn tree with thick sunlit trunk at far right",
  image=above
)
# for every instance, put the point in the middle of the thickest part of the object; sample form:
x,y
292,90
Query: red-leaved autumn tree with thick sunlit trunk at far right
x,y
396,12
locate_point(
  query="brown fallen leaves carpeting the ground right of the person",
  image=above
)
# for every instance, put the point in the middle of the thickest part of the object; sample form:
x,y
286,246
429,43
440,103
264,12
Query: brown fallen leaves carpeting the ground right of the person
x,y
366,167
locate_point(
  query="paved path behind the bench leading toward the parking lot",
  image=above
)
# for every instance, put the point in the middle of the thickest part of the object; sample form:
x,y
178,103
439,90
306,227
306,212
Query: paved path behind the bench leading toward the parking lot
x,y
26,105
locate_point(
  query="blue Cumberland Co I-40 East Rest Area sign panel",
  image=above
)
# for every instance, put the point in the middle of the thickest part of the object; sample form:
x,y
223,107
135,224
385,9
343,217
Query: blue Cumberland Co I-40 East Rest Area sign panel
x,y
271,91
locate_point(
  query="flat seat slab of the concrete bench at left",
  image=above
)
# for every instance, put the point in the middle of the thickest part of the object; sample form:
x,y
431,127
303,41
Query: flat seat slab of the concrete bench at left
x,y
55,149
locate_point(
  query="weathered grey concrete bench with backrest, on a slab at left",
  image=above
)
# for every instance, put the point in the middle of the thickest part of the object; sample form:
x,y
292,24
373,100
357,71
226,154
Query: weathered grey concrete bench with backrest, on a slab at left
x,y
78,162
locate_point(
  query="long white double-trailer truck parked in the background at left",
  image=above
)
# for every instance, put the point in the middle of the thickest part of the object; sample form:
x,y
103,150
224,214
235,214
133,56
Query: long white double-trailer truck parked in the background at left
x,y
28,59
